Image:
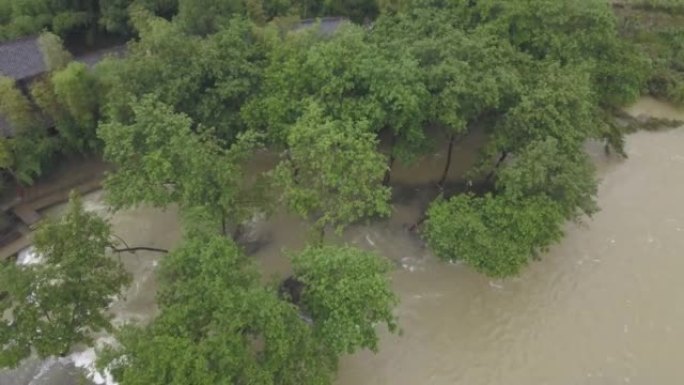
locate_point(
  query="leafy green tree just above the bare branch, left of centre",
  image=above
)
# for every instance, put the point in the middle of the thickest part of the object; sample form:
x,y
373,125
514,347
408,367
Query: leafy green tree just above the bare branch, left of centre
x,y
160,161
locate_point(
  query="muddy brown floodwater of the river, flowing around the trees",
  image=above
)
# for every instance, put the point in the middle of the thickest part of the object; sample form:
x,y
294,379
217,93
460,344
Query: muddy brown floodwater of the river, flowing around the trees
x,y
605,306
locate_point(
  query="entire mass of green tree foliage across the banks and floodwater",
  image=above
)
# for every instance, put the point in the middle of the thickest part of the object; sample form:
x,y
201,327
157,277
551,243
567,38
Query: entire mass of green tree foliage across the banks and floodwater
x,y
205,85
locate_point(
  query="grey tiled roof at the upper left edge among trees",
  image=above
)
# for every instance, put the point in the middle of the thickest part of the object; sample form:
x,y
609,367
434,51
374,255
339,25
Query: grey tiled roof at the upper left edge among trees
x,y
21,59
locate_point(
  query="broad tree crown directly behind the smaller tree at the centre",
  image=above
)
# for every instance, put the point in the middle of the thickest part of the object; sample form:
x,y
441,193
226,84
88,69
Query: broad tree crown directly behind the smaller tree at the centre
x,y
349,78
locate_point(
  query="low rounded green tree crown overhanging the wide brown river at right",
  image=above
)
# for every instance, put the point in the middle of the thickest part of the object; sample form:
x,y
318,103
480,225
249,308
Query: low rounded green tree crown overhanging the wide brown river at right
x,y
494,234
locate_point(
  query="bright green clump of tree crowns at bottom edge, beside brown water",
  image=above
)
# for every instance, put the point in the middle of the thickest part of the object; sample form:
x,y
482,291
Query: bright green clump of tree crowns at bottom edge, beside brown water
x,y
219,324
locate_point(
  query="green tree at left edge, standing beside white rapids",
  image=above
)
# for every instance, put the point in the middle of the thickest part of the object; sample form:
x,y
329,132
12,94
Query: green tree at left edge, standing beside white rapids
x,y
63,300
